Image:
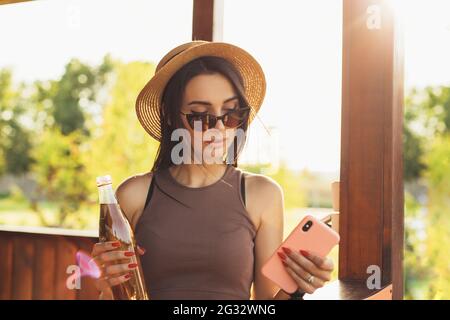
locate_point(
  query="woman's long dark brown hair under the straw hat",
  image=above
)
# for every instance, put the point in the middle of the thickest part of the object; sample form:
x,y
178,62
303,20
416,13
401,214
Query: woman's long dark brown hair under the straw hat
x,y
170,118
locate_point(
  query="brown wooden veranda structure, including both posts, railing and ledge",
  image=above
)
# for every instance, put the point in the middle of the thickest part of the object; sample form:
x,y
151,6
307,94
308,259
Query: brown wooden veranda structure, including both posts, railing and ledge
x,y
371,182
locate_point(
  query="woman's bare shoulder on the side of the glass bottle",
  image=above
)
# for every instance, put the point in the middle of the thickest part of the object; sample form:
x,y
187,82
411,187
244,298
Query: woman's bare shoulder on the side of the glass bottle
x,y
132,193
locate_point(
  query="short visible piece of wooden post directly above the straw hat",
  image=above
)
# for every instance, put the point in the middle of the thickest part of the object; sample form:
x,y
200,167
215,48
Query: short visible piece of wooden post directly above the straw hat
x,y
207,20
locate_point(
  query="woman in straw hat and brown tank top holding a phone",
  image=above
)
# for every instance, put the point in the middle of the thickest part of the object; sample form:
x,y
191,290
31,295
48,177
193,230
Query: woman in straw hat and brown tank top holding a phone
x,y
207,227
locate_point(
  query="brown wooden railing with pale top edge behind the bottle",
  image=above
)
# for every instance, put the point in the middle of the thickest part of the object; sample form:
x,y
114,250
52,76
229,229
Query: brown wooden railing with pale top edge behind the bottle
x,y
34,262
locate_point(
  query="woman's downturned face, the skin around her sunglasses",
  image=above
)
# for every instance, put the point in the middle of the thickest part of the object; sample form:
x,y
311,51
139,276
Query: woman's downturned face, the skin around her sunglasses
x,y
213,94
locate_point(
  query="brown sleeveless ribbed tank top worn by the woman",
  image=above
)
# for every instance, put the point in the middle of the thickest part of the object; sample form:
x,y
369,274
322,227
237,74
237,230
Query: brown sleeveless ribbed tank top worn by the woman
x,y
199,241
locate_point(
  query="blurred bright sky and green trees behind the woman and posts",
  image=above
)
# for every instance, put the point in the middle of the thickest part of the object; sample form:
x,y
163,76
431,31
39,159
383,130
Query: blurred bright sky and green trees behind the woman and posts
x,y
70,72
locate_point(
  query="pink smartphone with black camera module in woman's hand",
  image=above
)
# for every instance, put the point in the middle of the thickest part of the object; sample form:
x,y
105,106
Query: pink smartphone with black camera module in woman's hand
x,y
311,235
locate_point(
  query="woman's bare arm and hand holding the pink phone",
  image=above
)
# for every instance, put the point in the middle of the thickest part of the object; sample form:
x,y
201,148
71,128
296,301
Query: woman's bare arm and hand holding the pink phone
x,y
310,272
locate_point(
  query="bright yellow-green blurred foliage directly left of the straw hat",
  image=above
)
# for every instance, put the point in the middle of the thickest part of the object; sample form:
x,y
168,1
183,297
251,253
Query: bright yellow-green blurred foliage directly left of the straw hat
x,y
120,146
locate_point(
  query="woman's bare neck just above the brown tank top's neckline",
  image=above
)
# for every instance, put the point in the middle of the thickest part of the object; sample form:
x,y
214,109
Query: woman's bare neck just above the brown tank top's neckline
x,y
197,175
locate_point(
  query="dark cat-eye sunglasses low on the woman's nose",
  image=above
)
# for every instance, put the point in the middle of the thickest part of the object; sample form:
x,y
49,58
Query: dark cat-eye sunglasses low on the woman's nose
x,y
232,119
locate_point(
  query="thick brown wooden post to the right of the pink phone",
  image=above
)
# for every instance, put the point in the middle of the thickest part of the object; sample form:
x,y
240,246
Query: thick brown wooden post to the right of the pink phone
x,y
371,183
